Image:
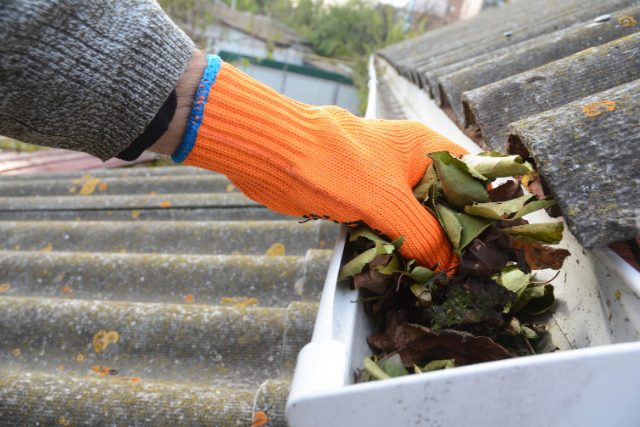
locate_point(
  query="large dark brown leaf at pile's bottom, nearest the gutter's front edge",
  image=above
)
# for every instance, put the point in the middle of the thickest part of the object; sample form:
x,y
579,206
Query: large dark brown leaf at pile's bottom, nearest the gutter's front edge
x,y
424,344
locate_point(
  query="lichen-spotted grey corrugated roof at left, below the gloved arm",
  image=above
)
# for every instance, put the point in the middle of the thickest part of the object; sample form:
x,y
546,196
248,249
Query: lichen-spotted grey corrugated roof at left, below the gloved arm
x,y
180,330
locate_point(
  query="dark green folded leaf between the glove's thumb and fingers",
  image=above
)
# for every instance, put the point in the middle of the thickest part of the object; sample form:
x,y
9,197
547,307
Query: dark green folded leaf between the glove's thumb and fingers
x,y
461,184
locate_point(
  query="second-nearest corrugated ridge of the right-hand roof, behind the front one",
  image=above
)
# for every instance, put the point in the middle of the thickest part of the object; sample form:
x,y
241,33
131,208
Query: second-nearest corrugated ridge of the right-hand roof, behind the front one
x,y
596,69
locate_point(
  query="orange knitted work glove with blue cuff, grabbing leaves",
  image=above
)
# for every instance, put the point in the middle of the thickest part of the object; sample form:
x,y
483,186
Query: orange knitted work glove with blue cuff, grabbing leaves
x,y
317,162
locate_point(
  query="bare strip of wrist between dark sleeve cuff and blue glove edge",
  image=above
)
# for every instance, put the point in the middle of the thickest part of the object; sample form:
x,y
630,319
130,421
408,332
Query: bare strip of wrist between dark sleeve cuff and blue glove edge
x,y
186,90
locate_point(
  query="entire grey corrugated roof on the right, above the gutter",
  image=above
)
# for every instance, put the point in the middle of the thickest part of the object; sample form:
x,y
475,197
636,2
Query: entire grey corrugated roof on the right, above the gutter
x,y
556,81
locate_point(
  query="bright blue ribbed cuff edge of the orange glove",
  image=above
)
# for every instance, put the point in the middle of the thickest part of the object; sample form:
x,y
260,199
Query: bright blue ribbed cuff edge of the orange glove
x,y
195,120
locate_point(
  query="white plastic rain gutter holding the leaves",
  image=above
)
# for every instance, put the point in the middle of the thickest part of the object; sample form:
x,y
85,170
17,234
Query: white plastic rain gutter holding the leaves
x,y
597,313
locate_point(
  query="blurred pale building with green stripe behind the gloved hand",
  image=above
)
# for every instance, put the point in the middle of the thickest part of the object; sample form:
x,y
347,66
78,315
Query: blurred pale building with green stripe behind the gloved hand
x,y
277,56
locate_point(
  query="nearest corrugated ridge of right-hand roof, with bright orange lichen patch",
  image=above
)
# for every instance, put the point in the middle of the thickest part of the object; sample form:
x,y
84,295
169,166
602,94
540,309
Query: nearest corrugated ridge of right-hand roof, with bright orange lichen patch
x,y
588,151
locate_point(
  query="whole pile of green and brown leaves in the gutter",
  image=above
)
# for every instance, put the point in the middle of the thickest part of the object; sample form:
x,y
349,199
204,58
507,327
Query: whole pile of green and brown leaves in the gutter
x,y
487,310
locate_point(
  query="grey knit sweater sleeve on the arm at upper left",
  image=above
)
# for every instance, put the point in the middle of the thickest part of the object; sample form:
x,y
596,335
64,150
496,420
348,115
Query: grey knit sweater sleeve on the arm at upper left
x,y
86,75
